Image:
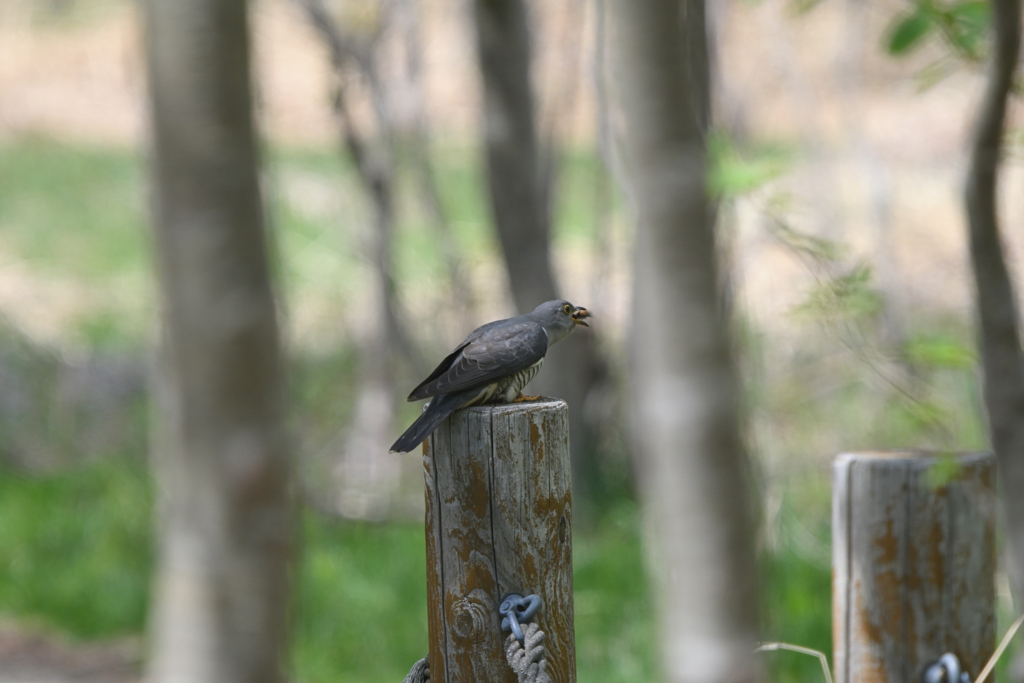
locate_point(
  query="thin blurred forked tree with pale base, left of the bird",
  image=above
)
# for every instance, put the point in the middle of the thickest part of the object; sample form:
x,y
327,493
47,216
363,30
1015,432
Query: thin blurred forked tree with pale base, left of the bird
x,y
366,477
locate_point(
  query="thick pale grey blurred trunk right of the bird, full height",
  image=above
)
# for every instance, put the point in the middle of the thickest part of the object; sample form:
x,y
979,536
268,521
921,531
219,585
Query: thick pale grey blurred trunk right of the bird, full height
x,y
685,391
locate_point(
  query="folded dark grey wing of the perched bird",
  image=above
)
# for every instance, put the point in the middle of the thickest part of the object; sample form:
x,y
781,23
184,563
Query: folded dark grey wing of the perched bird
x,y
499,352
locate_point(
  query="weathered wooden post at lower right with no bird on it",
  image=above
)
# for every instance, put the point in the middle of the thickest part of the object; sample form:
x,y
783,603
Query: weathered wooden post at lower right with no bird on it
x,y
914,553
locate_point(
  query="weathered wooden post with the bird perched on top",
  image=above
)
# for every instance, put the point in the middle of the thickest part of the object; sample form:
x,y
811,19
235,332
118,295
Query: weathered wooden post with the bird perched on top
x,y
499,520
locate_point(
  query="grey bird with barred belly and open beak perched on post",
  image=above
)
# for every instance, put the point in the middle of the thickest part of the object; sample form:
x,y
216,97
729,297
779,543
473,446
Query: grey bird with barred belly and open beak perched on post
x,y
493,364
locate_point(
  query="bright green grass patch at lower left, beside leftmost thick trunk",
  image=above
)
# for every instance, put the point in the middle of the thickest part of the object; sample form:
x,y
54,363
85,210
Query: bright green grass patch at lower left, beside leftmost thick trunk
x,y
76,547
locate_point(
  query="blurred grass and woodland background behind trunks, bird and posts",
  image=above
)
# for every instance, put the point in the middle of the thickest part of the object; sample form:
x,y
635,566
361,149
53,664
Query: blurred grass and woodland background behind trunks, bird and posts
x,y
841,146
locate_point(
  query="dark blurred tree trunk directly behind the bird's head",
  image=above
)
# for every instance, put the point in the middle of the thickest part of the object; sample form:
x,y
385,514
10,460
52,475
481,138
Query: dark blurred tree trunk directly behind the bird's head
x,y
520,181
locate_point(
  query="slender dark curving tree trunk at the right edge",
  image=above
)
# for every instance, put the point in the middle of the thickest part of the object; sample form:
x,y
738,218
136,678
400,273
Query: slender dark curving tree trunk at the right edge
x,y
1003,359
